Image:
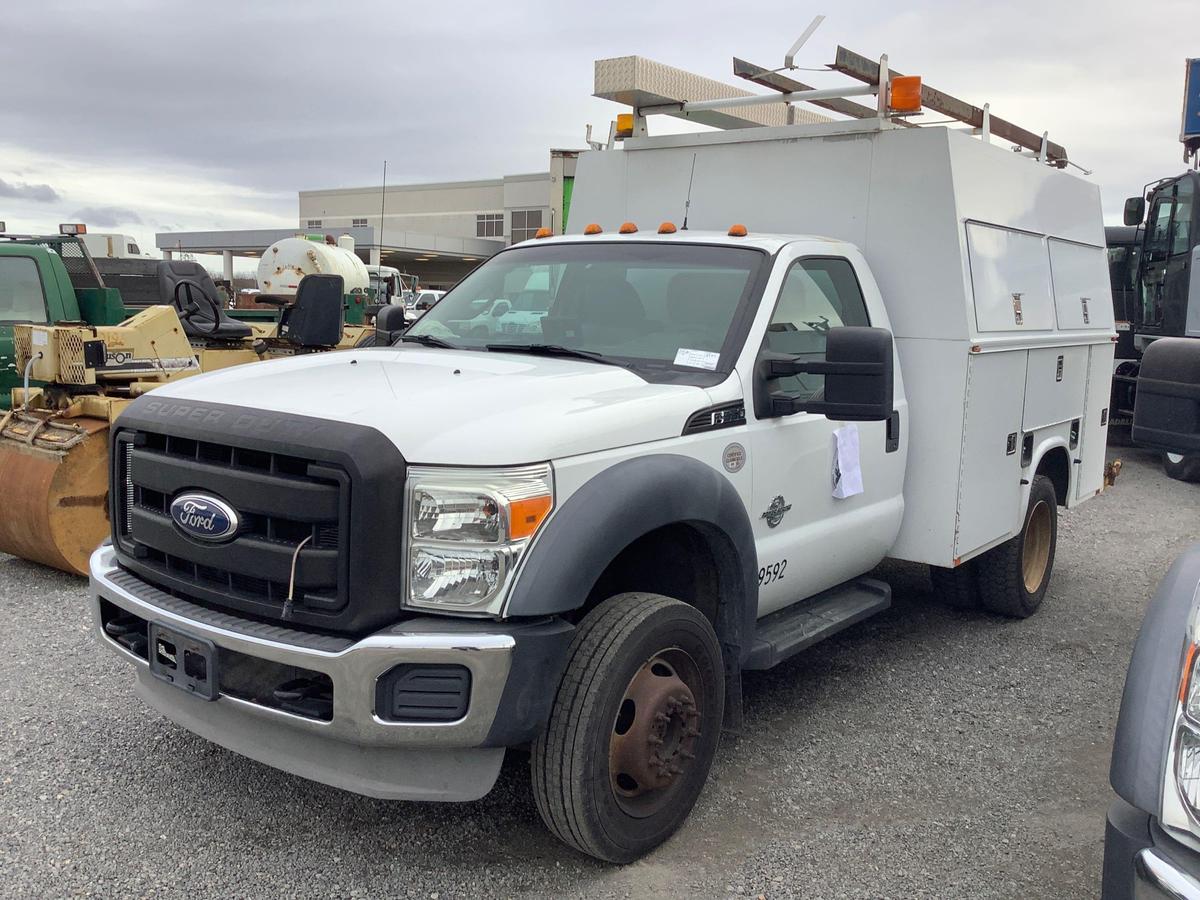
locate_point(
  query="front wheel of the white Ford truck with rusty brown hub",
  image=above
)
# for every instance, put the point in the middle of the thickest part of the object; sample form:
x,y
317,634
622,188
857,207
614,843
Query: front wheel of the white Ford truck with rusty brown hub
x,y
633,729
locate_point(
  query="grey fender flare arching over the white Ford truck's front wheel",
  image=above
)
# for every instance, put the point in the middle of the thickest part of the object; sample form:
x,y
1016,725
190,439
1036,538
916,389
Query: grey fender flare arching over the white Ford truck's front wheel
x,y
620,506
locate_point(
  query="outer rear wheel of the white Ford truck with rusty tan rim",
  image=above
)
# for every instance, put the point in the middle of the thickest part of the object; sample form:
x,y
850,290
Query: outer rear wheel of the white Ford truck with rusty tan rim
x,y
1013,578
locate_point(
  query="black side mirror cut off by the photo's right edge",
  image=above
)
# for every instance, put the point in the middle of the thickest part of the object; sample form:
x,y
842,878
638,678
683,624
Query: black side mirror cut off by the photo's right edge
x,y
1167,407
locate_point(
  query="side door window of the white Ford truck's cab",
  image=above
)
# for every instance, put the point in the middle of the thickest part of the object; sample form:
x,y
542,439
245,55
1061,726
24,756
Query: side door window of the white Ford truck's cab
x,y
818,296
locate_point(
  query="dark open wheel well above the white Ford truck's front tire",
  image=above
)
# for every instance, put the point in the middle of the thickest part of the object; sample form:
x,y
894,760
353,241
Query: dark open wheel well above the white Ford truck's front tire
x,y
680,561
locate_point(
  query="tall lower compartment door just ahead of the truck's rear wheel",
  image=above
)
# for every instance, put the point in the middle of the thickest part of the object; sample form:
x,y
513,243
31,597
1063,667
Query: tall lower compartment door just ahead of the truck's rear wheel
x,y
991,473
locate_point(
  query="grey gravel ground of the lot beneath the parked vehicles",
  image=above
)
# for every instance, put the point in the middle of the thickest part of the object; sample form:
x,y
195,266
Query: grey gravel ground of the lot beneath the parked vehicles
x,y
926,753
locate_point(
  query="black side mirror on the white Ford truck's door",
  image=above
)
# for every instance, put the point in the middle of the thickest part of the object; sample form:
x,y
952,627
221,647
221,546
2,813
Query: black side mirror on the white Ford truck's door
x,y
859,385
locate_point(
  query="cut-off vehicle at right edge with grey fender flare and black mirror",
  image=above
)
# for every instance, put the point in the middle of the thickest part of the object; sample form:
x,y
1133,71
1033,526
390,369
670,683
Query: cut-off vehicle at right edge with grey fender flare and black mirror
x,y
1153,839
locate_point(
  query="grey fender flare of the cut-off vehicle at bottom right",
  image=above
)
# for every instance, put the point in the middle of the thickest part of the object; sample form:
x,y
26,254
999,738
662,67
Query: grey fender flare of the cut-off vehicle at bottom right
x,y
1153,686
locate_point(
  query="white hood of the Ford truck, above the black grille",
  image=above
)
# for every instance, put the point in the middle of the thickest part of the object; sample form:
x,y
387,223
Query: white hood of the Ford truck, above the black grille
x,y
461,407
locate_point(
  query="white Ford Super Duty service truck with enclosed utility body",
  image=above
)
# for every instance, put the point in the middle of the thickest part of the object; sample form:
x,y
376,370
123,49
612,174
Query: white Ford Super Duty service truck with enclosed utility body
x,y
871,341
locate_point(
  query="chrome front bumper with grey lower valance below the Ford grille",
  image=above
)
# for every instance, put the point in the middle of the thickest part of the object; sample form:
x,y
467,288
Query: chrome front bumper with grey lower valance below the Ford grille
x,y
356,751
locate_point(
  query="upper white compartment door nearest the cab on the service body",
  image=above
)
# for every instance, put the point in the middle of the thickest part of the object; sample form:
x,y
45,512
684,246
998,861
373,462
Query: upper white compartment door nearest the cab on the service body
x,y
1011,280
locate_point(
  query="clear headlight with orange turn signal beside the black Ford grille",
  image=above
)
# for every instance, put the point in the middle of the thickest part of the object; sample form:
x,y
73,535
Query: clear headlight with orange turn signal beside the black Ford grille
x,y
467,531
